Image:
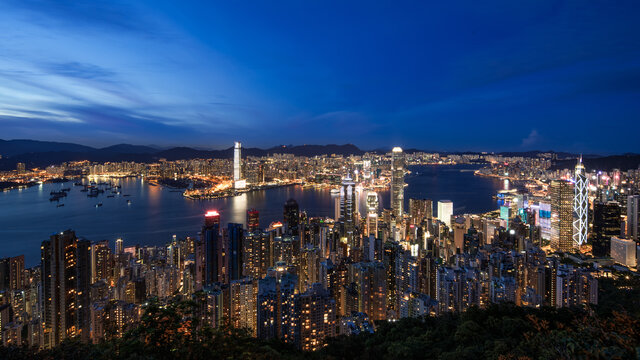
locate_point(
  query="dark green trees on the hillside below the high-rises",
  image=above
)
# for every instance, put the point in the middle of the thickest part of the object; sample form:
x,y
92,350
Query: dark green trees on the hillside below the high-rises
x,y
505,332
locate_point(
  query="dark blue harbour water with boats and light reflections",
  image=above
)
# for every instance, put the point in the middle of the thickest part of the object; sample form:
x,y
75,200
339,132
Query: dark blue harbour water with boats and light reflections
x,y
155,213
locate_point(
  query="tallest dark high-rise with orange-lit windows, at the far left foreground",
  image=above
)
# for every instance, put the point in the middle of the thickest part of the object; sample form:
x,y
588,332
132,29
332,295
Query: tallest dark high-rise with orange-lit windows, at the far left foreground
x,y
66,278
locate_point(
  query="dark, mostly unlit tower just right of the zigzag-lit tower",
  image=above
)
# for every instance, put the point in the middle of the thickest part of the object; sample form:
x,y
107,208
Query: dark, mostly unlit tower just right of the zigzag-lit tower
x,y
606,223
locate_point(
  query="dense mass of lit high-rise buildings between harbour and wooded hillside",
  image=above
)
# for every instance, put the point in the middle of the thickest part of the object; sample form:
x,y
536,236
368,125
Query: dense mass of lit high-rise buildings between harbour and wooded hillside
x,y
305,279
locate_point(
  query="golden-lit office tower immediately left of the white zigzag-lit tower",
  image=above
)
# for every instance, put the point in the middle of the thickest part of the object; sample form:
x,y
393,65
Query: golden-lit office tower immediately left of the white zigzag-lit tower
x,y
561,192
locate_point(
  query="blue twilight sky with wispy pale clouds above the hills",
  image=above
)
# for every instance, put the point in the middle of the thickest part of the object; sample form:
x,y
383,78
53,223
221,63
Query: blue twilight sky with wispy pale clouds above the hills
x,y
445,75
